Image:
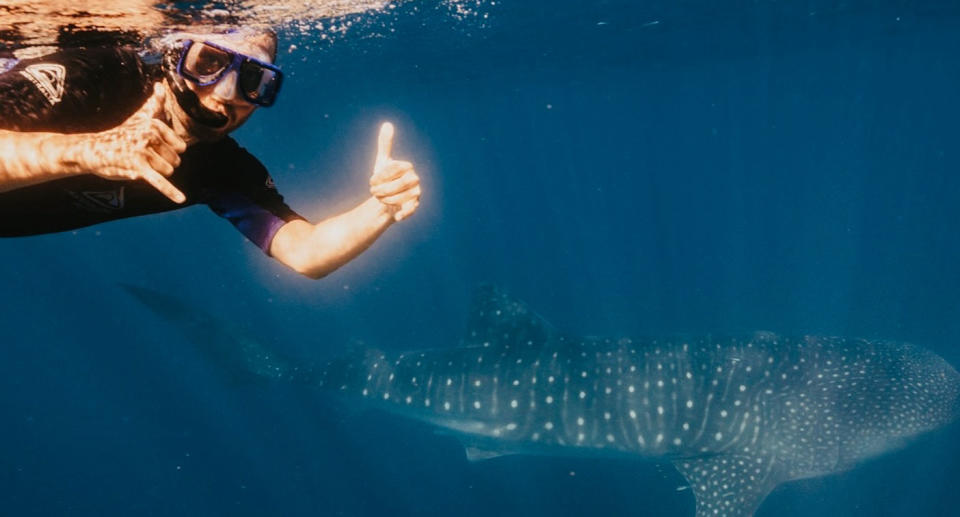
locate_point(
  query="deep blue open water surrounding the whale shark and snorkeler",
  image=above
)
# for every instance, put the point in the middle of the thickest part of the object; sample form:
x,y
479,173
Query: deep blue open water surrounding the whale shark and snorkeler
x,y
625,167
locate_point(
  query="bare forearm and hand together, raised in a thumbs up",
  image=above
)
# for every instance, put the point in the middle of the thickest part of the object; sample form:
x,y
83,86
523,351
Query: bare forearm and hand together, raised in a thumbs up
x,y
317,250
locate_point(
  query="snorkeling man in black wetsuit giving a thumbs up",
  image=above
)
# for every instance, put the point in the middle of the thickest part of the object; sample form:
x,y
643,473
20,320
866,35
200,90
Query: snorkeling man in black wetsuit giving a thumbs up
x,y
93,135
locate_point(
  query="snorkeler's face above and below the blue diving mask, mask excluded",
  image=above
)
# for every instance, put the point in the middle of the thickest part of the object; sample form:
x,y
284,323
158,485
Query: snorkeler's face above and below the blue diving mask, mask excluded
x,y
224,108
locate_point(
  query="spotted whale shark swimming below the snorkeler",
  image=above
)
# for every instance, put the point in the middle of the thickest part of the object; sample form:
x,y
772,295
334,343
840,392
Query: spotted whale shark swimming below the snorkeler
x,y
736,415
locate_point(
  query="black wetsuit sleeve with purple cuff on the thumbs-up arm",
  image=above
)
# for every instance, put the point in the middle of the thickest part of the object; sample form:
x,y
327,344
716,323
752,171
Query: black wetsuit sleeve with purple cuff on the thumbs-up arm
x,y
250,201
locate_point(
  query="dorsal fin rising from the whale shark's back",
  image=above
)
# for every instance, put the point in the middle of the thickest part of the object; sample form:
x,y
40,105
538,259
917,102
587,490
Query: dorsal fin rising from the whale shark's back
x,y
498,320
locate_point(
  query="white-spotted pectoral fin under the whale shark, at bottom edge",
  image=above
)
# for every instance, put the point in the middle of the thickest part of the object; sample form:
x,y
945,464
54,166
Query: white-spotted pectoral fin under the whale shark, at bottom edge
x,y
729,485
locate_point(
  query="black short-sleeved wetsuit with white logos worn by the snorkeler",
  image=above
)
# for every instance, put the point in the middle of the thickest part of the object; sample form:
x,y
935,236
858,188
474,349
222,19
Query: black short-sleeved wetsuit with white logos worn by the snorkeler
x,y
90,90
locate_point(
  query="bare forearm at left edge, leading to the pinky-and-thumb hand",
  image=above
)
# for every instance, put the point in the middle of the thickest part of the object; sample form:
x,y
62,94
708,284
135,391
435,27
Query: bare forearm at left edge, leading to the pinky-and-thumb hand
x,y
29,158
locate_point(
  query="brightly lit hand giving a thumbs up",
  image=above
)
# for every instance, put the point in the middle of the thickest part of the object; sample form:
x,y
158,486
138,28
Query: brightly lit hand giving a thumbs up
x,y
394,182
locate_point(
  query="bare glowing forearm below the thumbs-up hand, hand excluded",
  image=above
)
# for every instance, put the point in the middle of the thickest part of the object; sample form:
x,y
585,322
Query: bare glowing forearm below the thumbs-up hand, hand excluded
x,y
318,250
